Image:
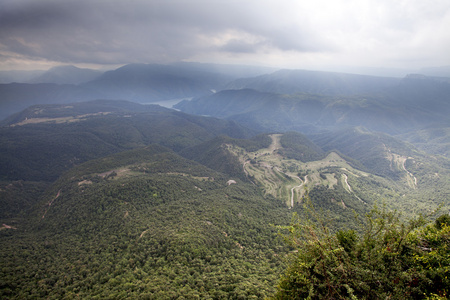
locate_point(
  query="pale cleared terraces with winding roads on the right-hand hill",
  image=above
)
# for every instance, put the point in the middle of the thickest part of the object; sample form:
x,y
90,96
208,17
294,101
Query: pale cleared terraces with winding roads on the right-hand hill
x,y
288,178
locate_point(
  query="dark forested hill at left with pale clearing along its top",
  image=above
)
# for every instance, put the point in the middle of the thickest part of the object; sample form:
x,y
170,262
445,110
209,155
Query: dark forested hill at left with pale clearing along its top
x,y
43,141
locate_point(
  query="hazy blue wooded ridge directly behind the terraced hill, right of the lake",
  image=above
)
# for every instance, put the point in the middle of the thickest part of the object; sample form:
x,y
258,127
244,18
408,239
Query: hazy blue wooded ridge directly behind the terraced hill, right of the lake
x,y
312,112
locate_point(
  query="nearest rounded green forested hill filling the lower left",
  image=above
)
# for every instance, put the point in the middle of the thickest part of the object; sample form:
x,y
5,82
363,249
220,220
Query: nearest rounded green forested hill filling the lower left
x,y
145,223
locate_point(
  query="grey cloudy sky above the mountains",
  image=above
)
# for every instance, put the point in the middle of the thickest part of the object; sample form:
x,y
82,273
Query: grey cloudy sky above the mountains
x,y
312,34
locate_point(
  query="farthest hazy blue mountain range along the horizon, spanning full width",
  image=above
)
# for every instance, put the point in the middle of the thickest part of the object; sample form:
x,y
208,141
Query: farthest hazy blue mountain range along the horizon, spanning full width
x,y
147,83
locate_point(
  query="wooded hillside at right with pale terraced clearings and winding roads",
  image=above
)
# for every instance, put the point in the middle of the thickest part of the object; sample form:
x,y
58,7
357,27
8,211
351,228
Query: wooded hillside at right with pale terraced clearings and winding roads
x,y
385,170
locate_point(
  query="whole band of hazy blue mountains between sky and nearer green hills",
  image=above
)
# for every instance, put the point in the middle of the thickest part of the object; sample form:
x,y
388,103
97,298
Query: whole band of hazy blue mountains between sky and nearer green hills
x,y
261,98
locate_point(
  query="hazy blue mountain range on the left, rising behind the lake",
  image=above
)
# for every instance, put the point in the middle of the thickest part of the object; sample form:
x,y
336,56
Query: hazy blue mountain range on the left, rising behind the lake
x,y
143,83
